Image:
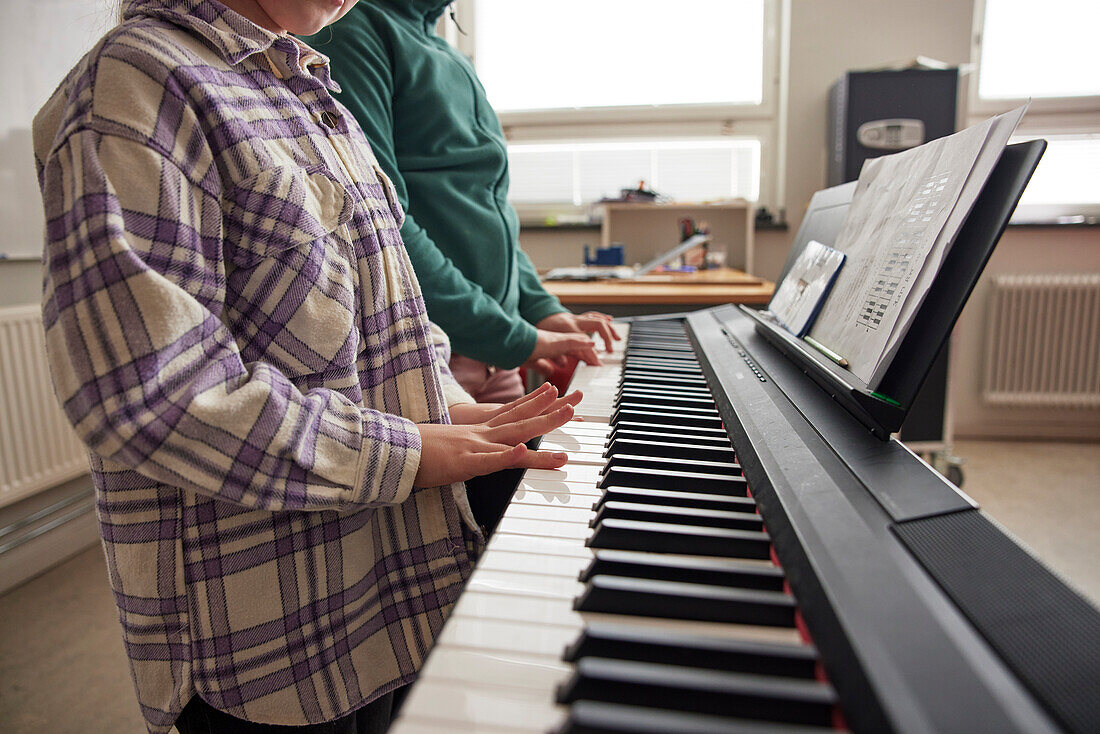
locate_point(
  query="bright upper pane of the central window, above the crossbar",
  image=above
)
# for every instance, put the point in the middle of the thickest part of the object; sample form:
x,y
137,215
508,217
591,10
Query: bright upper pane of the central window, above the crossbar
x,y
581,54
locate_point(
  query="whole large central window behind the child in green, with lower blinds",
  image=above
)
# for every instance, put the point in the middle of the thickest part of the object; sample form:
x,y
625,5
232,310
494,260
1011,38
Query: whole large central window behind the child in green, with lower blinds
x,y
596,97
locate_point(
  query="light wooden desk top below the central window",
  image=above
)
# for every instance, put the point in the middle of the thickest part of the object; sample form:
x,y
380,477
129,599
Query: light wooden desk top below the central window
x,y
664,292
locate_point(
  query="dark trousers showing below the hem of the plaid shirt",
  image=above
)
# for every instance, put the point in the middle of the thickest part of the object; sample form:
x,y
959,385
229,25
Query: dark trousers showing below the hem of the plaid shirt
x,y
201,718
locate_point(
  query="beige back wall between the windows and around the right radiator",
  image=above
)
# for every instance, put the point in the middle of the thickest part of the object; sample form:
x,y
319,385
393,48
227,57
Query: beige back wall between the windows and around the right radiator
x,y
828,39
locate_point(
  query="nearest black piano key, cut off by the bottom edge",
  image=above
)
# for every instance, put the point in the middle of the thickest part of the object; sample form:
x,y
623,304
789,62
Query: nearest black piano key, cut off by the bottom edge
x,y
601,718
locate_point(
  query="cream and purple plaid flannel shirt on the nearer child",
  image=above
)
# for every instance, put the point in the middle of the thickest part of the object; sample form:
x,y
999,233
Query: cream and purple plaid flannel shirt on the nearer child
x,y
236,332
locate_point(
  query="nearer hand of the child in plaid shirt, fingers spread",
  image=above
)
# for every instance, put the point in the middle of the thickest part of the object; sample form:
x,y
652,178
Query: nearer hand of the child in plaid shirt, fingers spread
x,y
455,454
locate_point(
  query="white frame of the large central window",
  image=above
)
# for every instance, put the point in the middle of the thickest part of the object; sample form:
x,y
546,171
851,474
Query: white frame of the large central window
x,y
764,122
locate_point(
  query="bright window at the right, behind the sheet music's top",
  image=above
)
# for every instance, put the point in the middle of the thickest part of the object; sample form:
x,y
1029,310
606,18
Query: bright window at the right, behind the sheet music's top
x,y
1051,58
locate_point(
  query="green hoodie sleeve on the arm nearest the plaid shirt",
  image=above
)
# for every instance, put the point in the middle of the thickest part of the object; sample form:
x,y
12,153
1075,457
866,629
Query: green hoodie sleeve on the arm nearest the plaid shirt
x,y
476,324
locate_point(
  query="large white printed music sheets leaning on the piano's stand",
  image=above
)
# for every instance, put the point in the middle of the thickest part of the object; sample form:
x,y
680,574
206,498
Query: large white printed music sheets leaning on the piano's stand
x,y
904,217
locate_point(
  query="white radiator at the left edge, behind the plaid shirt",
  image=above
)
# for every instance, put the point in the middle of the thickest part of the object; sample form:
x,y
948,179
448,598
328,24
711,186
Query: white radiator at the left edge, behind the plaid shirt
x,y
38,447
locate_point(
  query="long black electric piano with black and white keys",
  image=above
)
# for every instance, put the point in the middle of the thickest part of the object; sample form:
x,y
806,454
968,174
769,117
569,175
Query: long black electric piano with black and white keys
x,y
640,588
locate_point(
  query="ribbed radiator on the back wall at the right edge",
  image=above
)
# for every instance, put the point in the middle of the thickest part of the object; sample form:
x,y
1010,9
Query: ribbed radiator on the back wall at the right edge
x,y
1043,347
